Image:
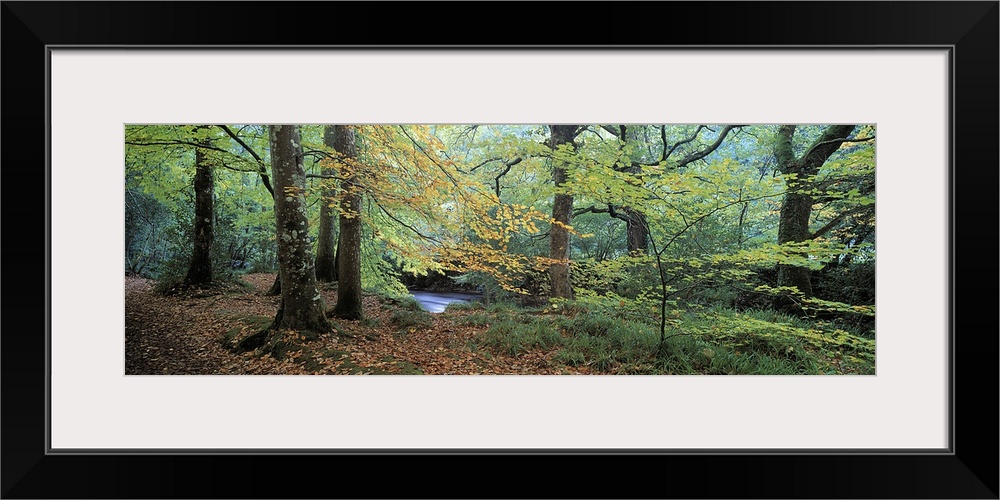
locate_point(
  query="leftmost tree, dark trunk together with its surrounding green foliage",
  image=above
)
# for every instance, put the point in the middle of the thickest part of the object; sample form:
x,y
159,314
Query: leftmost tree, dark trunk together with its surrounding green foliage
x,y
161,161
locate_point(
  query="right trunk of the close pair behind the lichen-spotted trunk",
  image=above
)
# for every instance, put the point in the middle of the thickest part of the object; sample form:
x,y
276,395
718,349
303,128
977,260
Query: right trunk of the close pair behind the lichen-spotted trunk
x,y
349,244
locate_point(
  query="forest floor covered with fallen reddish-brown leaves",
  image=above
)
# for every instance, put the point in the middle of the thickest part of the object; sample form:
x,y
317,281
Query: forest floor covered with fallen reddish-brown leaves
x,y
186,334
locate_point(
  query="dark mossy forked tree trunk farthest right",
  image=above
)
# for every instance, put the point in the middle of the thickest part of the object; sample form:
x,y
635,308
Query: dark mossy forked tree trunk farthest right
x,y
793,222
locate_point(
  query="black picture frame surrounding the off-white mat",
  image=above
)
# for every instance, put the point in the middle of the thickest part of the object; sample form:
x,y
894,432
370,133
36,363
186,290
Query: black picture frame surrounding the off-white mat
x,y
969,471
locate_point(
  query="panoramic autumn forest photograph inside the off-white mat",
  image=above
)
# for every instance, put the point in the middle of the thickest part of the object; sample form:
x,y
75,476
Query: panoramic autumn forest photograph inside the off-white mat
x,y
604,249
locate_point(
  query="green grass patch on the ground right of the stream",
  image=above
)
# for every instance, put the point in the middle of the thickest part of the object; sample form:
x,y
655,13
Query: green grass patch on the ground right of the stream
x,y
702,341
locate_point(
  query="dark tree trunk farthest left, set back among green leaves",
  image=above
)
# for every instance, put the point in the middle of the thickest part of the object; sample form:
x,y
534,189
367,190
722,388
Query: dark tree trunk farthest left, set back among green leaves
x,y
200,270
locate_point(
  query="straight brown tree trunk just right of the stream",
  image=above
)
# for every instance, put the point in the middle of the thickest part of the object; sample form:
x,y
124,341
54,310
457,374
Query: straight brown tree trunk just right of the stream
x,y
562,212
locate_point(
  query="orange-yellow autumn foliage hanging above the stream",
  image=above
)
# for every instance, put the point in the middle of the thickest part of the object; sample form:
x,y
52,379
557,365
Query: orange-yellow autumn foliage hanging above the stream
x,y
425,212
